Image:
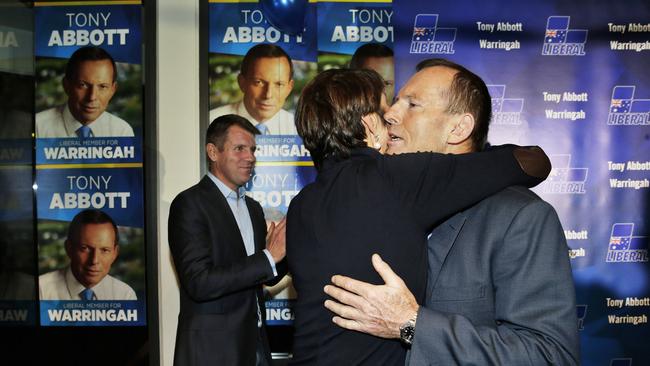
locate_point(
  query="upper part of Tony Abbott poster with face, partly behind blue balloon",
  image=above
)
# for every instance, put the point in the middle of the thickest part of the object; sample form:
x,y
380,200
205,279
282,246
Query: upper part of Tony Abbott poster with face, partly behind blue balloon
x,y
277,68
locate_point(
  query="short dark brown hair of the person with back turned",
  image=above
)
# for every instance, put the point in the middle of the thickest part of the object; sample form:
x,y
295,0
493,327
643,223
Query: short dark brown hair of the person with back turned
x,y
329,112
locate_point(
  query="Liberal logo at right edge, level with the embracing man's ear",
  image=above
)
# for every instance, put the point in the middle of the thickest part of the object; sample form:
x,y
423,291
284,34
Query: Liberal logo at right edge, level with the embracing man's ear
x,y
627,111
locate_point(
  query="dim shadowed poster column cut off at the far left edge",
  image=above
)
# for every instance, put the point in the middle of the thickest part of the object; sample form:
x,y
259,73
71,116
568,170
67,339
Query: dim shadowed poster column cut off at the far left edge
x,y
18,301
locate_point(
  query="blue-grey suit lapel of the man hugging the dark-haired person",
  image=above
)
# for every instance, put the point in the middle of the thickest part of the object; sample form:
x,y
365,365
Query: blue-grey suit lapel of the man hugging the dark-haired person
x,y
439,245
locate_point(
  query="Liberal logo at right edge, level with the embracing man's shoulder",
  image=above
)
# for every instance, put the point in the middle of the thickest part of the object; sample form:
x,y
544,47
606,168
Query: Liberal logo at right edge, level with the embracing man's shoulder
x,y
625,247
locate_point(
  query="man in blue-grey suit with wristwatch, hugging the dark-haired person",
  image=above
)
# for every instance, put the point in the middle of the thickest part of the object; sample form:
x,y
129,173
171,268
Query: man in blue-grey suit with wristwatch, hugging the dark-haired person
x,y
499,289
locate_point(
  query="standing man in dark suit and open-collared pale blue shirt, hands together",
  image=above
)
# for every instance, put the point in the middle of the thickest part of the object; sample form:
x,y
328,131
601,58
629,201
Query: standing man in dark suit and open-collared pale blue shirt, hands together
x,y
223,254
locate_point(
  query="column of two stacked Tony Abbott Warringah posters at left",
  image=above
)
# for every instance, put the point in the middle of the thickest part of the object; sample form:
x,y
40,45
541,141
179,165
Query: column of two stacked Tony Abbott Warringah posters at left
x,y
89,176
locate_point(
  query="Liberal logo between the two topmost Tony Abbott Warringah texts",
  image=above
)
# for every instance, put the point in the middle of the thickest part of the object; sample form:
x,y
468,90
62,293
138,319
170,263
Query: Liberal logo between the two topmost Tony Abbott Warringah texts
x,y
559,40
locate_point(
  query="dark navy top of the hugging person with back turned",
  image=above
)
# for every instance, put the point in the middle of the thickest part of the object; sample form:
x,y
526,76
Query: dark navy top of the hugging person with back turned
x,y
368,204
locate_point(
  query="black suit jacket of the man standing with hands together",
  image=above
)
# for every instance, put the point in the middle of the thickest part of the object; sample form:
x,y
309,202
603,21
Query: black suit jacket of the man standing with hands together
x,y
217,324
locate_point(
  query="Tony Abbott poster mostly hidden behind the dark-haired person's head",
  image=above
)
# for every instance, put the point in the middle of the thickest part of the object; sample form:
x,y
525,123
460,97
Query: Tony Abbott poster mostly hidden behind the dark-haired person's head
x,y
357,34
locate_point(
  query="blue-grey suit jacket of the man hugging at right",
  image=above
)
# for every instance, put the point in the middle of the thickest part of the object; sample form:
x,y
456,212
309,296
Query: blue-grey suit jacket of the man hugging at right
x,y
500,289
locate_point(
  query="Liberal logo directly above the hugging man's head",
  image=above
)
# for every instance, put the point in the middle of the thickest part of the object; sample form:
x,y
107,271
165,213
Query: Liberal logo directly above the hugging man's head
x,y
429,38
